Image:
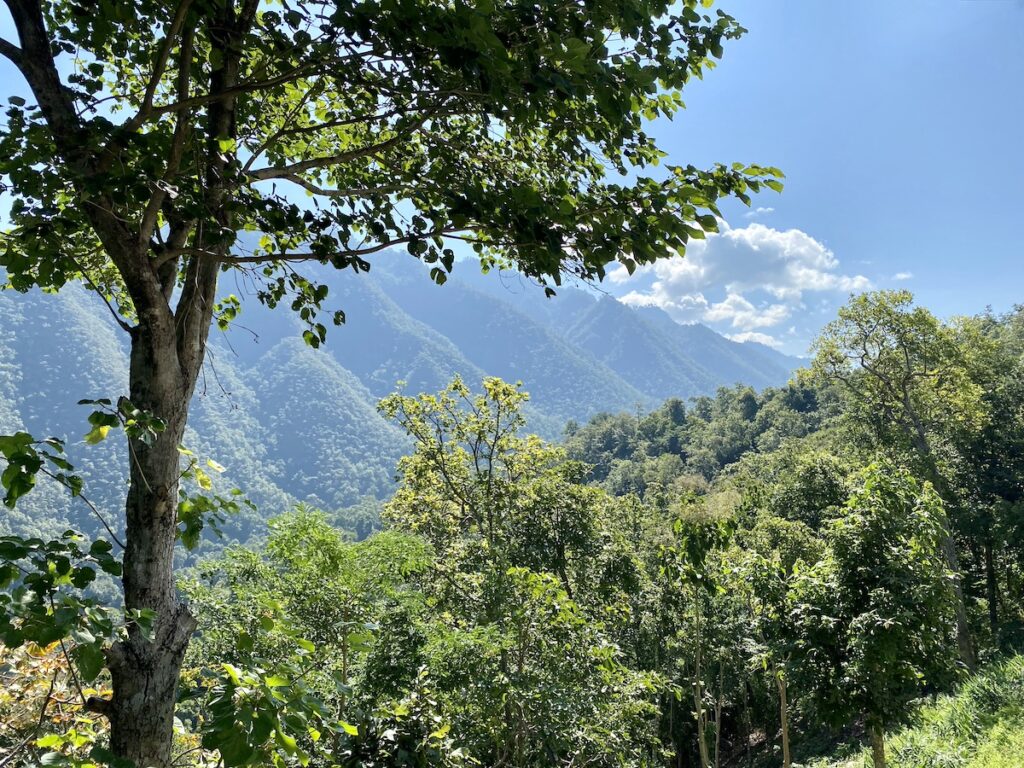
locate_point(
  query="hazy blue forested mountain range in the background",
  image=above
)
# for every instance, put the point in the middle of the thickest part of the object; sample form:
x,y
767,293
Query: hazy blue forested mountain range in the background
x,y
294,424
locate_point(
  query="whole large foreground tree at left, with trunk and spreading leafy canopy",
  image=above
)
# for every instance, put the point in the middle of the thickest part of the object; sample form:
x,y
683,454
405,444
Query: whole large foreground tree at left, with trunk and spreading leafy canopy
x,y
148,137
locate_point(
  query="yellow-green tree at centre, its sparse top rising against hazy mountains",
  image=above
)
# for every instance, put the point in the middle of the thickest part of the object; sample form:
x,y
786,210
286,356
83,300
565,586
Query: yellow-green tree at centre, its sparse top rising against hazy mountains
x,y
528,584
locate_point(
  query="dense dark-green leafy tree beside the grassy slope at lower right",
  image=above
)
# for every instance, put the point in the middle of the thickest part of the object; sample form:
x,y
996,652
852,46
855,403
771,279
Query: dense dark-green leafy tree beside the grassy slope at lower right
x,y
874,614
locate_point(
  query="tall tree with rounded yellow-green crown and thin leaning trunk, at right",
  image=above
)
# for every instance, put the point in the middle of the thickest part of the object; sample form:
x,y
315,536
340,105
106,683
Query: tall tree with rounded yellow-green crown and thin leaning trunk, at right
x,y
909,381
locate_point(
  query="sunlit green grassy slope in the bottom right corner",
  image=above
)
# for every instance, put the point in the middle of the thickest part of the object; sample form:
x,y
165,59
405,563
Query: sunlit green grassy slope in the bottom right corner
x,y
980,727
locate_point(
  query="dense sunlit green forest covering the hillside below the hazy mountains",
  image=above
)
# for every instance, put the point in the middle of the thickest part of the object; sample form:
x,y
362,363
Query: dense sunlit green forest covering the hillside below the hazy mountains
x,y
747,579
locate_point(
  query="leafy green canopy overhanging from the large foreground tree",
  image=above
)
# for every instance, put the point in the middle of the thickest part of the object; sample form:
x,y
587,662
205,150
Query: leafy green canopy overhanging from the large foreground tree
x,y
495,123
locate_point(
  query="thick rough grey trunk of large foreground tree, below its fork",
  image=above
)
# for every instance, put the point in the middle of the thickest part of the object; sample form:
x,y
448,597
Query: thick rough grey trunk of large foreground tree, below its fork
x,y
145,667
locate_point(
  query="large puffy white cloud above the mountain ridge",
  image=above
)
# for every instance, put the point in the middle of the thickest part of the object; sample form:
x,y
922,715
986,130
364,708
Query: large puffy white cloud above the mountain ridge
x,y
782,266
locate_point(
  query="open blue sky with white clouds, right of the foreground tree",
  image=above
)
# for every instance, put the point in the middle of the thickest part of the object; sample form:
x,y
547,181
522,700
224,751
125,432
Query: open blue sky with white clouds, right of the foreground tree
x,y
901,129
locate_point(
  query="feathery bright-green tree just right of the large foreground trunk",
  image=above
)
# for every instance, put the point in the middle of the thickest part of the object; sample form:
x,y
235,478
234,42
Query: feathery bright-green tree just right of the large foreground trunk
x,y
294,628
